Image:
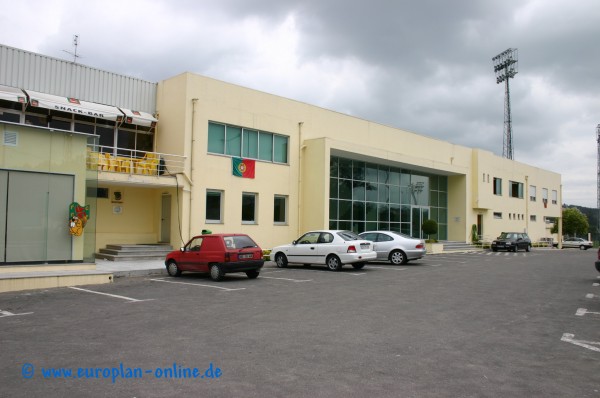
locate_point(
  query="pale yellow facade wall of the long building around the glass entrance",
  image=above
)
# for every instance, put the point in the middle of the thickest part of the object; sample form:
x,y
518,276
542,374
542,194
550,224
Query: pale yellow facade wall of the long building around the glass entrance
x,y
186,103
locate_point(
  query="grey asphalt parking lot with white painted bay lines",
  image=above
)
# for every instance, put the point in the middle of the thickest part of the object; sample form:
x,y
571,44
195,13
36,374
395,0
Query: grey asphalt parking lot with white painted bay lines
x,y
470,325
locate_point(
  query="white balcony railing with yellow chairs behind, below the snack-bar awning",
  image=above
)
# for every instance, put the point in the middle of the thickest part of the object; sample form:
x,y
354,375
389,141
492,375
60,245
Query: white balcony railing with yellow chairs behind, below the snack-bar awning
x,y
129,161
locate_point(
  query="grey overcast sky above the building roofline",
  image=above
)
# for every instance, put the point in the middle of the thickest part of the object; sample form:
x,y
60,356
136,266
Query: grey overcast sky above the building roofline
x,y
422,65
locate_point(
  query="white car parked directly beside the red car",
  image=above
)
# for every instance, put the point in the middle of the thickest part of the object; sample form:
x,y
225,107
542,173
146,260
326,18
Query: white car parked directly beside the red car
x,y
330,247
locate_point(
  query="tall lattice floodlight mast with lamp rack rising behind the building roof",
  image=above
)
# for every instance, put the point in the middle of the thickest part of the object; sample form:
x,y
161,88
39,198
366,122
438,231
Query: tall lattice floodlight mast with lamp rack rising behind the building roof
x,y
505,66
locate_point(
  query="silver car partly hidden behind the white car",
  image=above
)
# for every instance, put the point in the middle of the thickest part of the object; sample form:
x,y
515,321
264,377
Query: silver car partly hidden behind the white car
x,y
395,247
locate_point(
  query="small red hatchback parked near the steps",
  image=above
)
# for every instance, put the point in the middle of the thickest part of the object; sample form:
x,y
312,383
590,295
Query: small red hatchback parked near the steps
x,y
218,254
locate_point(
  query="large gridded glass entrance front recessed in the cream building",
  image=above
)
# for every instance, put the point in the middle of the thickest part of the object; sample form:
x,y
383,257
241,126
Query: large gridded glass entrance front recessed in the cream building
x,y
367,196
